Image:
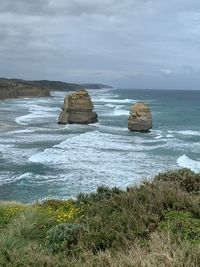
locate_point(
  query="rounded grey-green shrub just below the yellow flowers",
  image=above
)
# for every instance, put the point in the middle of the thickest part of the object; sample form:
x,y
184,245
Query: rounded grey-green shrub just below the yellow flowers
x,y
64,237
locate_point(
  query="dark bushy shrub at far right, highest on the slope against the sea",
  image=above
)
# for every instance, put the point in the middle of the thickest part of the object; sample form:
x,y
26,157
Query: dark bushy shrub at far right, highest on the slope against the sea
x,y
188,180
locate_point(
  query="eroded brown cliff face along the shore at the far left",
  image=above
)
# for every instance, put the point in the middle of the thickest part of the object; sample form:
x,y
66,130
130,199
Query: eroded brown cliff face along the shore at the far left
x,y
15,90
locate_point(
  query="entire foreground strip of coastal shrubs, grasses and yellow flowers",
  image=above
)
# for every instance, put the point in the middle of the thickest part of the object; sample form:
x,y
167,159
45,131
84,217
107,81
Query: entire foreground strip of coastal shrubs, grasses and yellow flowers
x,y
154,224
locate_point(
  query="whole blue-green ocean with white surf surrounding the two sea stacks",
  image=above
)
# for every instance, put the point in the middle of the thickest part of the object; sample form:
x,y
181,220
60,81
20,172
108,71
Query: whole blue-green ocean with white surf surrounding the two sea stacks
x,y
40,159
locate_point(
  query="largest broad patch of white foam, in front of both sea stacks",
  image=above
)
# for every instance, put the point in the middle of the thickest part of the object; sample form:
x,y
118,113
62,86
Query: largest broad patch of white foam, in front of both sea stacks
x,y
94,158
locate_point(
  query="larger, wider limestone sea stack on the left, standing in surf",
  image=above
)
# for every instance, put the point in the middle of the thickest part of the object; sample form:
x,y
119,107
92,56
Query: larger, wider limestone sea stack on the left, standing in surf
x,y
78,108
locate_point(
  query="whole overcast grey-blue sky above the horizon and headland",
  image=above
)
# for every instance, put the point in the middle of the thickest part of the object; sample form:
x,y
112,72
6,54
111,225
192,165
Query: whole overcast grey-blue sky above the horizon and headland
x,y
124,43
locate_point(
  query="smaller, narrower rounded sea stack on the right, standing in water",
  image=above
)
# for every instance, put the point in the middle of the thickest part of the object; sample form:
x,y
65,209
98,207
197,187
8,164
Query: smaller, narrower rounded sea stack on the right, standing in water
x,y
140,119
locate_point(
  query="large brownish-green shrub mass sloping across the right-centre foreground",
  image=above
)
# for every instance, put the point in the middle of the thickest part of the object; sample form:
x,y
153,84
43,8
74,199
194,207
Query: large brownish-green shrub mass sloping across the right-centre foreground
x,y
114,222
